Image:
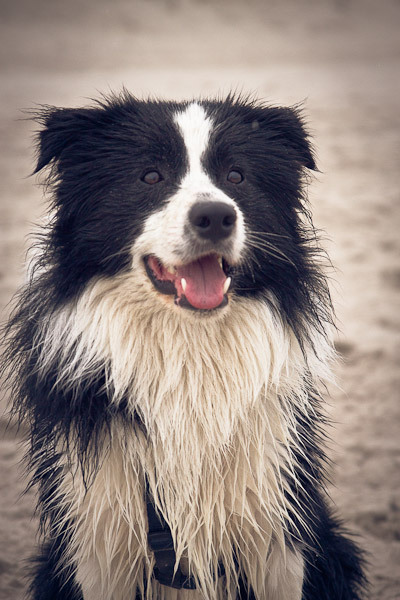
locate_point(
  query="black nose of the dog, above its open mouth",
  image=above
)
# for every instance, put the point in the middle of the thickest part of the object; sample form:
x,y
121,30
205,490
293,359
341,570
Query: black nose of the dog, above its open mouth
x,y
213,221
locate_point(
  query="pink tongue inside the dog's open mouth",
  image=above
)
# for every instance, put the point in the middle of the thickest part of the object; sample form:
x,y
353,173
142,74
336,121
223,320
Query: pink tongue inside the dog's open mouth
x,y
204,282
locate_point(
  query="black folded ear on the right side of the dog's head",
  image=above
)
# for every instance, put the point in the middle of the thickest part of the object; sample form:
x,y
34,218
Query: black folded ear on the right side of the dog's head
x,y
288,125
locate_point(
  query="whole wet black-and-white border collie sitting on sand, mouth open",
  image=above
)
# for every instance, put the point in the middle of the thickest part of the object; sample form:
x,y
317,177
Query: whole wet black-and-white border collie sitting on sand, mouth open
x,y
169,352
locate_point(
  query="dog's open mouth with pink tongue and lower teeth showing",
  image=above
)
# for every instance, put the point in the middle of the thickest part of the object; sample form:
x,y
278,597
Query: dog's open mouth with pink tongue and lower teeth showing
x,y
202,284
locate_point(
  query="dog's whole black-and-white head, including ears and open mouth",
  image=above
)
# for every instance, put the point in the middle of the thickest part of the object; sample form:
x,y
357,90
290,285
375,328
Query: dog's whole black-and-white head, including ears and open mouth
x,y
198,199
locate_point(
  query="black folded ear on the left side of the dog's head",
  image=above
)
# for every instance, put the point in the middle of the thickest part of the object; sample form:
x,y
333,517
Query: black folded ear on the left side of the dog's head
x,y
62,128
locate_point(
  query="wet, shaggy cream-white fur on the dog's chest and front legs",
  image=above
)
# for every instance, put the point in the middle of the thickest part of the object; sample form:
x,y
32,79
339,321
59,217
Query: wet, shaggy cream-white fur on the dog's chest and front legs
x,y
217,398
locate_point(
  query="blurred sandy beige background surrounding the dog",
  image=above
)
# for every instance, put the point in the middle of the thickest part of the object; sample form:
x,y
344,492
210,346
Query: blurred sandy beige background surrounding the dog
x,y
341,58
